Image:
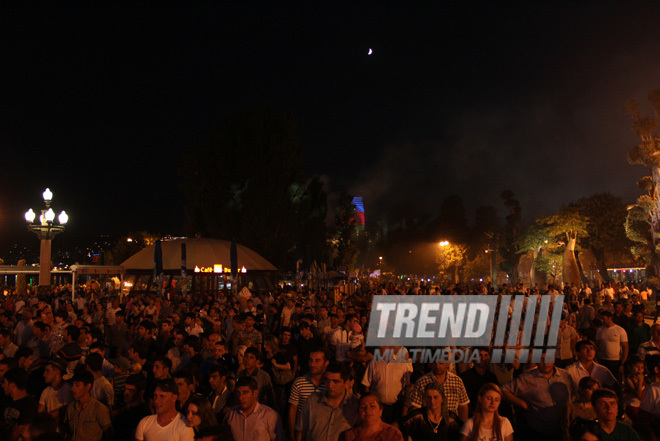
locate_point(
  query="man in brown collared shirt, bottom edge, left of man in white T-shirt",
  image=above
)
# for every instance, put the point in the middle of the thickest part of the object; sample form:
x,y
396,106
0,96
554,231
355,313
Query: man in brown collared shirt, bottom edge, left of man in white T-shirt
x,y
86,418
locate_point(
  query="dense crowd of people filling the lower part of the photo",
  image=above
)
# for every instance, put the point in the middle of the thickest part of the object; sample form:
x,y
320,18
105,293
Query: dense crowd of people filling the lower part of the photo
x,y
293,366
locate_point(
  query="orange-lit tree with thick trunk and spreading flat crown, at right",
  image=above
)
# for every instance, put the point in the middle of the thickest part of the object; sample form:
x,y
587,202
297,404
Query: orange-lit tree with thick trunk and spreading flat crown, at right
x,y
565,226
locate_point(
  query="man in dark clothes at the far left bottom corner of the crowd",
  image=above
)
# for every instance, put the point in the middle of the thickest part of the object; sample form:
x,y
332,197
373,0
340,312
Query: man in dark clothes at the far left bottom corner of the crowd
x,y
23,407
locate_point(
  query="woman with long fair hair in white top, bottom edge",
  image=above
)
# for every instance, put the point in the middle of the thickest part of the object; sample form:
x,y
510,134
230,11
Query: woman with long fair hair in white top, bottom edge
x,y
487,424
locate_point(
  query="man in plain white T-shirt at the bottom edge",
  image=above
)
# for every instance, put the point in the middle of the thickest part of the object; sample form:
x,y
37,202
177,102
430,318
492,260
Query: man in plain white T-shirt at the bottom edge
x,y
167,424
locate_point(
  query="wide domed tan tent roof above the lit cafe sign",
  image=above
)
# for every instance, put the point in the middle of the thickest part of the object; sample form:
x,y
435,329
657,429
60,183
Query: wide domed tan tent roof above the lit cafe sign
x,y
199,252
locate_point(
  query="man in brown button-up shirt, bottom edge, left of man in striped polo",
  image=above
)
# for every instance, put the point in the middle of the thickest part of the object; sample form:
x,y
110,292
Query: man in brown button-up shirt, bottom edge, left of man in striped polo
x,y
251,420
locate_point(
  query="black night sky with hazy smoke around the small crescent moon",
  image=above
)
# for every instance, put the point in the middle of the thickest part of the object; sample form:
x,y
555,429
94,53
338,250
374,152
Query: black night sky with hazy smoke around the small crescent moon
x,y
100,103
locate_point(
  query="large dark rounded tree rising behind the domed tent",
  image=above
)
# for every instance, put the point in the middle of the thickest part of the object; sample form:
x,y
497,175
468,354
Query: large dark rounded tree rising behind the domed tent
x,y
247,182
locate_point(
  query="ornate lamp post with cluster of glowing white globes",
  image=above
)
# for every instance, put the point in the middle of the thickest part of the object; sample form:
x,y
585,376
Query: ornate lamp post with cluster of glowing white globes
x,y
45,229
